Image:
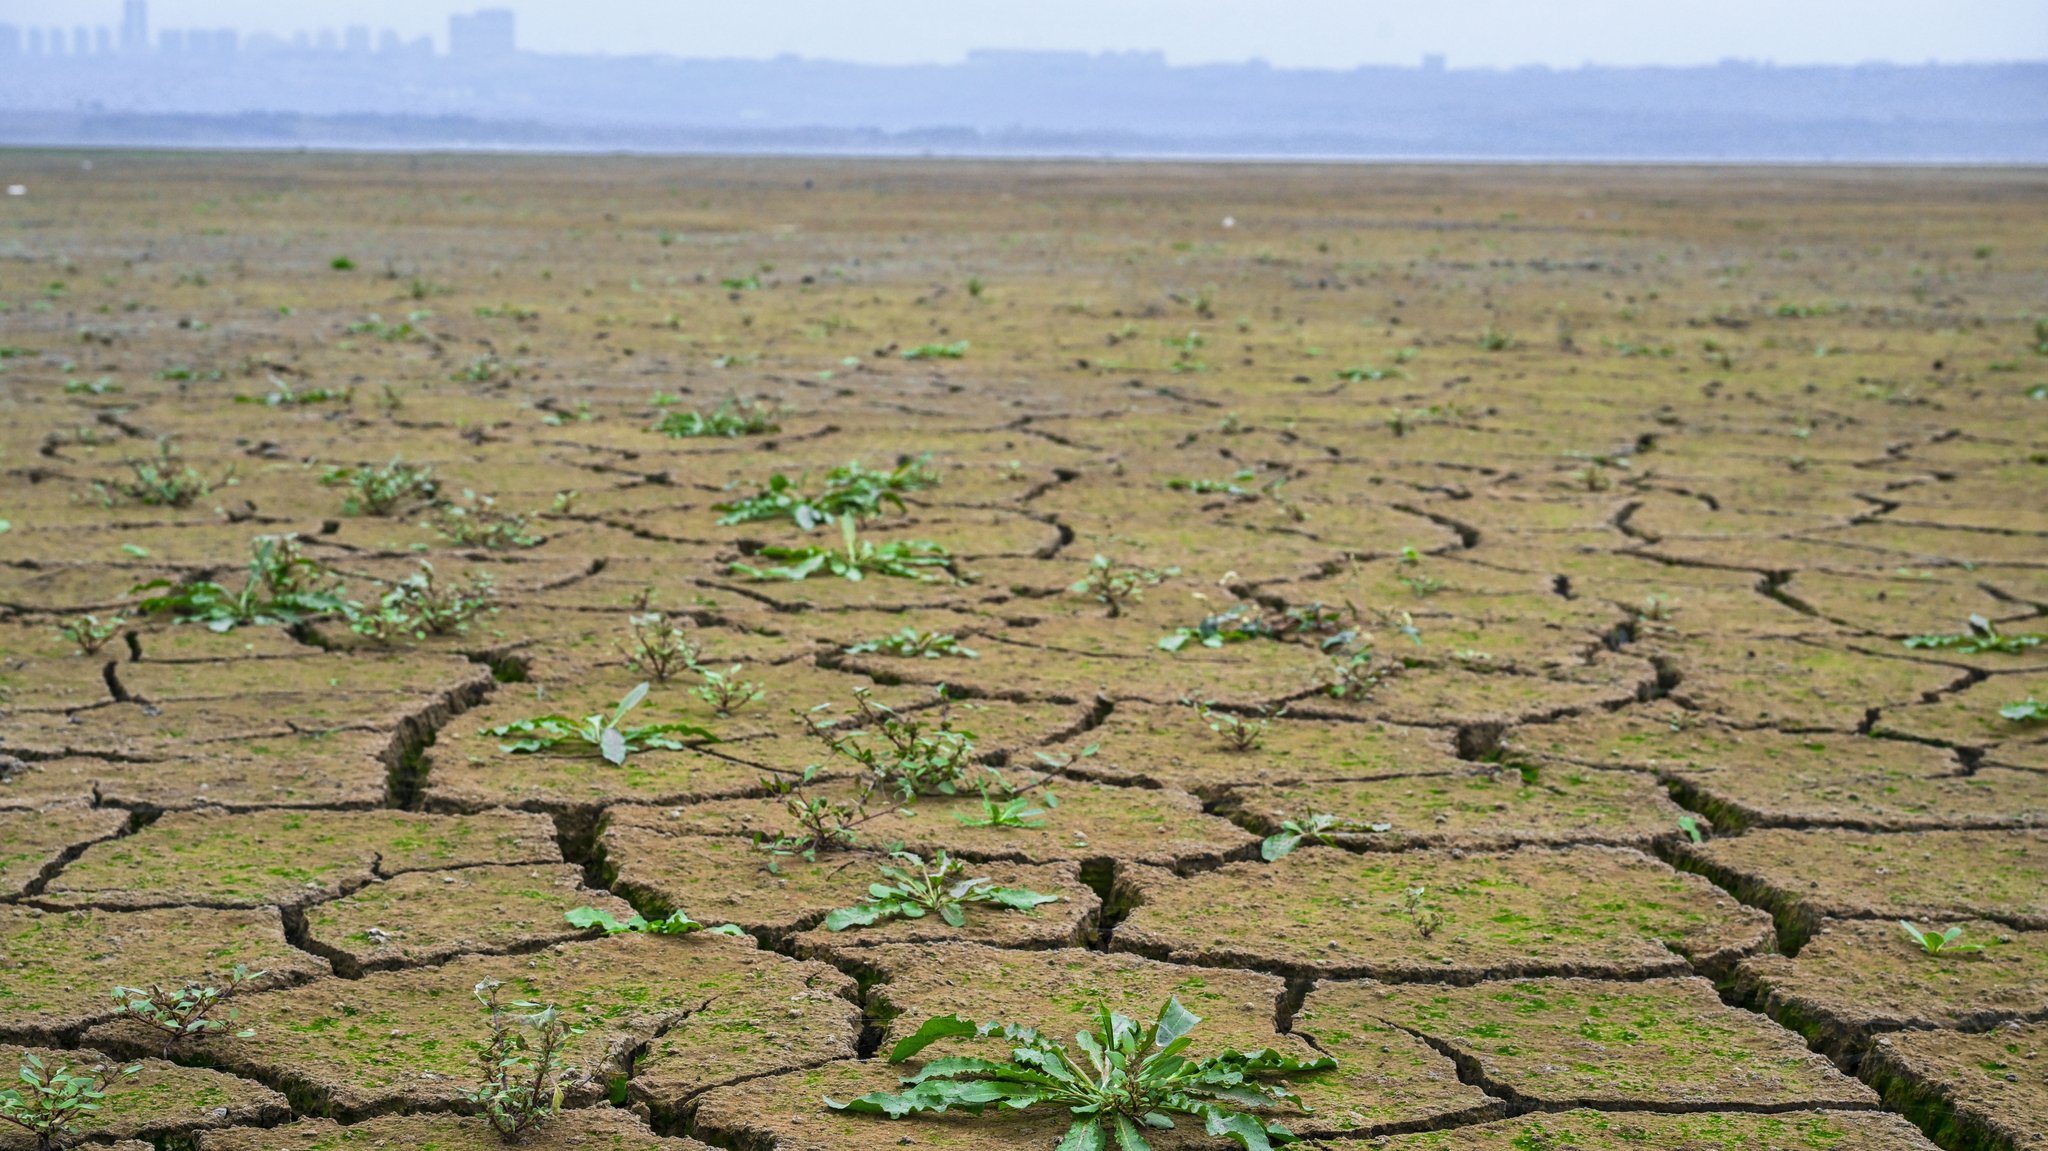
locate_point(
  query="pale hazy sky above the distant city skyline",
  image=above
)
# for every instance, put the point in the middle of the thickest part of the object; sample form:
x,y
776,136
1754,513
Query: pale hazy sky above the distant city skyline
x,y
1316,34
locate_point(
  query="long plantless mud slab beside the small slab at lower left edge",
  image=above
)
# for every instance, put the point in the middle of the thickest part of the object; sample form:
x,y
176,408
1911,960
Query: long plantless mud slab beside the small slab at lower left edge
x,y
288,859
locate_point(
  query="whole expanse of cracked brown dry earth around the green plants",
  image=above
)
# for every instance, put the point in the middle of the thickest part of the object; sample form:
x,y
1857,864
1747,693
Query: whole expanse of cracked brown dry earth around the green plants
x,y
1631,482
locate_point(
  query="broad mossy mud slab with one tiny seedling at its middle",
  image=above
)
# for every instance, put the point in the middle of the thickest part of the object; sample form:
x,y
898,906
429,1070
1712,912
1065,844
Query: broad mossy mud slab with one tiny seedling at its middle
x,y
1332,914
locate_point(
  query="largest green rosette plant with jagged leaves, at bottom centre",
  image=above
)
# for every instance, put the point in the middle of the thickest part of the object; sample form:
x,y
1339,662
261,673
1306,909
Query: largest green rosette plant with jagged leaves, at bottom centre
x,y
1129,1078
